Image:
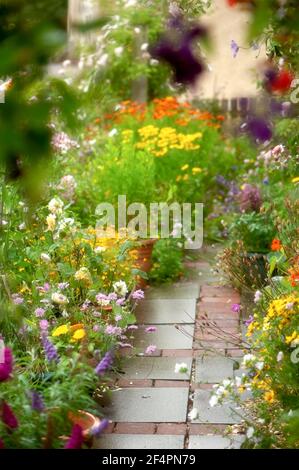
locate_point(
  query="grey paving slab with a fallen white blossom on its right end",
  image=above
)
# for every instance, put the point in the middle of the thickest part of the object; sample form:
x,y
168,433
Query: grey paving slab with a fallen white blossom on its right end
x,y
156,368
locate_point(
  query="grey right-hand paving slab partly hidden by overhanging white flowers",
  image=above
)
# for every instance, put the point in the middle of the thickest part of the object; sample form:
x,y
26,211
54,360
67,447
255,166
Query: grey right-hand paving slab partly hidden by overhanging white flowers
x,y
221,414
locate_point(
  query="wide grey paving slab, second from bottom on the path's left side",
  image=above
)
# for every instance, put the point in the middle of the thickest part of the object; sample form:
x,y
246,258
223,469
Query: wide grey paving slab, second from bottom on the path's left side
x,y
147,405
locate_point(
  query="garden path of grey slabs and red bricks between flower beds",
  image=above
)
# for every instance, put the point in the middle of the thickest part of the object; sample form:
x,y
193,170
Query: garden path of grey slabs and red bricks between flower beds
x,y
150,407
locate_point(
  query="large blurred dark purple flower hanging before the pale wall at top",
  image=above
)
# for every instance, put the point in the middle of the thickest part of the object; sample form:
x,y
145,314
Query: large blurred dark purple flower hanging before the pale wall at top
x,y
176,50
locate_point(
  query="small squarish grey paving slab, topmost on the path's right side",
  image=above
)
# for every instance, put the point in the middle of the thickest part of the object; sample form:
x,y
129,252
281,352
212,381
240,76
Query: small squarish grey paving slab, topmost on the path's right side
x,y
213,368
